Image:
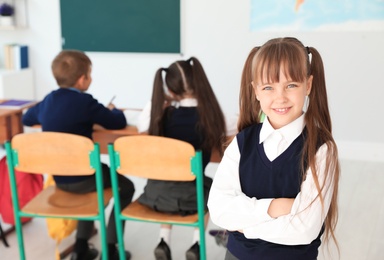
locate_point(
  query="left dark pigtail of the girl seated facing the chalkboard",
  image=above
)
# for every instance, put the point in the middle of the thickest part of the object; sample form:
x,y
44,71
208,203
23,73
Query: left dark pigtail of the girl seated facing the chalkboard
x,y
158,100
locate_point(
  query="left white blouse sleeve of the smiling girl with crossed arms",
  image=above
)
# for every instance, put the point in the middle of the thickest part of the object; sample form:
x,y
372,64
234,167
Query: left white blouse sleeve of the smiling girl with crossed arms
x,y
229,207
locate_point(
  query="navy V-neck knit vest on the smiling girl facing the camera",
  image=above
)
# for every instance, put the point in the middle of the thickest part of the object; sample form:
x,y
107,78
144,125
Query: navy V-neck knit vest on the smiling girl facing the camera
x,y
261,178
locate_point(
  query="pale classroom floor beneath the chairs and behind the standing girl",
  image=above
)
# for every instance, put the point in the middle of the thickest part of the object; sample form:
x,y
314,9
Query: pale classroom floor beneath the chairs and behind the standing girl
x,y
360,230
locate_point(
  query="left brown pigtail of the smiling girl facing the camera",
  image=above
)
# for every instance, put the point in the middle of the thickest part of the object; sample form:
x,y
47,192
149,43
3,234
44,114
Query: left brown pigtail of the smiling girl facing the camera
x,y
249,106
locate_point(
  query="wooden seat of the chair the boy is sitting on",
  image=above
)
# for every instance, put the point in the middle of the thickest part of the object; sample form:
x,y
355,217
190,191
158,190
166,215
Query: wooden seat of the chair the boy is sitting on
x,y
54,202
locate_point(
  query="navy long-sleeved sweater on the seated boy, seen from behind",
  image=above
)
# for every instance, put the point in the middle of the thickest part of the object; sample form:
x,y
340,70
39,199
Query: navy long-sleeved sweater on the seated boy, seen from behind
x,y
71,111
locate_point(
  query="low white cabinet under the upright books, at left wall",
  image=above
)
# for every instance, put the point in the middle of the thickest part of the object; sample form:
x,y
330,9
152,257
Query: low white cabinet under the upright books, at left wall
x,y
17,84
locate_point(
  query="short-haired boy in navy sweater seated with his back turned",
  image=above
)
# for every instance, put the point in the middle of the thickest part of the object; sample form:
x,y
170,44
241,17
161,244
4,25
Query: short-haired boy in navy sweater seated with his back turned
x,y
70,110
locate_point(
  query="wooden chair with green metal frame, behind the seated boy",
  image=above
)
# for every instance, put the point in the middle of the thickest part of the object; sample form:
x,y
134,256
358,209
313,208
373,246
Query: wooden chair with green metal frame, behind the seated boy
x,y
57,154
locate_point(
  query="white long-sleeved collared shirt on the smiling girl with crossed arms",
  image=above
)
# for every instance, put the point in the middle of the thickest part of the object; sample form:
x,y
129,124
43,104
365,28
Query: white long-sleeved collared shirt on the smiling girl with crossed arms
x,y
231,209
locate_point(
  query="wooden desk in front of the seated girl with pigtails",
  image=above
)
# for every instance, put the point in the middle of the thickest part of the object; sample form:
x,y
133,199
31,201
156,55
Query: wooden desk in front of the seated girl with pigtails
x,y
104,137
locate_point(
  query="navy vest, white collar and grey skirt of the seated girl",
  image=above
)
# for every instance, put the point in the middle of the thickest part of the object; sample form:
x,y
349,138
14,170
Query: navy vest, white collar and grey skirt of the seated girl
x,y
180,122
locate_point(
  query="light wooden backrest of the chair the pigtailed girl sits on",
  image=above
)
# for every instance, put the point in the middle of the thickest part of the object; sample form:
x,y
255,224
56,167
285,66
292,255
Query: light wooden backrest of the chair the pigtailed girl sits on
x,y
155,157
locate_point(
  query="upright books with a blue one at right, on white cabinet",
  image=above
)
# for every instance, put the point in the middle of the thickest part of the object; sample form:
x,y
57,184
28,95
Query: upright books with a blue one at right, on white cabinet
x,y
16,56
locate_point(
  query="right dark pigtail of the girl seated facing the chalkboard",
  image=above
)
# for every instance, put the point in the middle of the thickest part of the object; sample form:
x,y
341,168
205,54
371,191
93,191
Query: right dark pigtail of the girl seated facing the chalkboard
x,y
210,114
